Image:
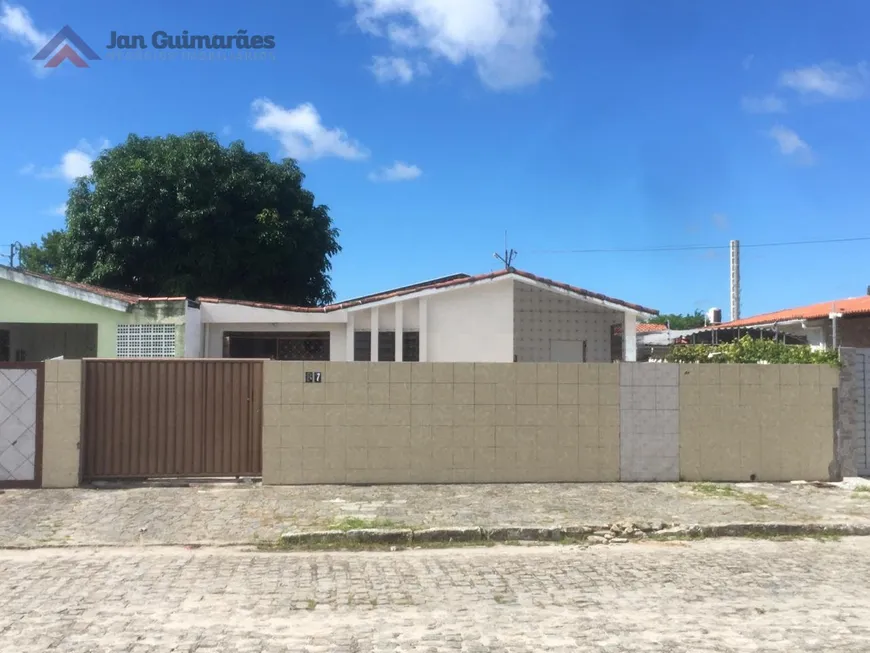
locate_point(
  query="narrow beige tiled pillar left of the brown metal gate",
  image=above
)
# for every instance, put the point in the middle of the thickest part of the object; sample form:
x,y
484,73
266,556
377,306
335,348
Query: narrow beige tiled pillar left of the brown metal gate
x,y
61,425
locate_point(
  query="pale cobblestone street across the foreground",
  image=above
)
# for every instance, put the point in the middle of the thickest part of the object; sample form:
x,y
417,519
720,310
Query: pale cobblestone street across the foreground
x,y
723,595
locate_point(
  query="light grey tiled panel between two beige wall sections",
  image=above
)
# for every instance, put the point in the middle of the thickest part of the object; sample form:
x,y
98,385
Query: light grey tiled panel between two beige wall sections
x,y
649,413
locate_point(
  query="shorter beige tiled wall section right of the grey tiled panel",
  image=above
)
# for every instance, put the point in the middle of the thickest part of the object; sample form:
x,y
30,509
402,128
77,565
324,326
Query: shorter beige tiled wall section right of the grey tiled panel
x,y
770,422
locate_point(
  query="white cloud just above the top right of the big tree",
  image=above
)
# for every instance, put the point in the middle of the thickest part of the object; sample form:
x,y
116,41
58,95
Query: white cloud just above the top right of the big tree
x,y
302,134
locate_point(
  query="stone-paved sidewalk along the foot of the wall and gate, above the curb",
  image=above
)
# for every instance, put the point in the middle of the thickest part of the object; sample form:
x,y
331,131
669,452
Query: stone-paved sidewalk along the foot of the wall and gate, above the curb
x,y
243,514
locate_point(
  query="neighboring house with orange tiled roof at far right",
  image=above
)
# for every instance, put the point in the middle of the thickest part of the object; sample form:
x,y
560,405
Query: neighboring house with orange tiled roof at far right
x,y
836,323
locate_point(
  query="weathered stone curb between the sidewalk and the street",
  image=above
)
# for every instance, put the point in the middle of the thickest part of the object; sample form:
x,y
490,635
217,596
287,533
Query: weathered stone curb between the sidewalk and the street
x,y
590,533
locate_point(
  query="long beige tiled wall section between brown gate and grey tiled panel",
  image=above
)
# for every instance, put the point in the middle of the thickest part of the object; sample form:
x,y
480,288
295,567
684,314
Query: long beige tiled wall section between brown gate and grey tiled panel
x,y
440,423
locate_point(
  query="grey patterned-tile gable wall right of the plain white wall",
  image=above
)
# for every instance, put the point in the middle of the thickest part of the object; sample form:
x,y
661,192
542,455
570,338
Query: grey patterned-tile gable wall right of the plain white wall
x,y
543,316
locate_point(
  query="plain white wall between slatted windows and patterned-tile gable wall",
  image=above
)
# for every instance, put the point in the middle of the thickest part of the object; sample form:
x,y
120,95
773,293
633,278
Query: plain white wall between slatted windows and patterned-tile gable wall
x,y
472,324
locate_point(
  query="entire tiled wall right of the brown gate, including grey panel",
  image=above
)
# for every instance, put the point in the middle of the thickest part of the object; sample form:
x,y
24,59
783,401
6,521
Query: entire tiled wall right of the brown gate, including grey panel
x,y
539,422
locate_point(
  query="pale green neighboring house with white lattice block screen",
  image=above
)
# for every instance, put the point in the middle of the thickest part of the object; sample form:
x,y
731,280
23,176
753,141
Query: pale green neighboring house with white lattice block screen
x,y
42,317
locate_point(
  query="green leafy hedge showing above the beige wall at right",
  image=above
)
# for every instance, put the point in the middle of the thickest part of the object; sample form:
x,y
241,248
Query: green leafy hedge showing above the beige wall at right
x,y
750,350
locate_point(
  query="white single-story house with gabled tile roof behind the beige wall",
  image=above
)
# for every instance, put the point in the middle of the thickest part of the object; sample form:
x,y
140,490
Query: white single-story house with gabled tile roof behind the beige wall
x,y
499,317
